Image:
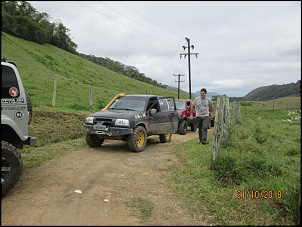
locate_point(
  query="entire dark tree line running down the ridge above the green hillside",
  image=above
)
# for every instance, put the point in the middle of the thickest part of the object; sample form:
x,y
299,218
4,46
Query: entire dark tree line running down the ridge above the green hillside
x,y
22,20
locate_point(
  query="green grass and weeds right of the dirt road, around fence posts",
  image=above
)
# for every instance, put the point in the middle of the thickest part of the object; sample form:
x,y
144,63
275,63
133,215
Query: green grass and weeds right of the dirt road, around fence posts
x,y
257,177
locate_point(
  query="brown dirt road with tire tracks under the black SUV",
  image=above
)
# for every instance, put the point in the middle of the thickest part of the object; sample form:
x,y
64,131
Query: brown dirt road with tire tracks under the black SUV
x,y
108,177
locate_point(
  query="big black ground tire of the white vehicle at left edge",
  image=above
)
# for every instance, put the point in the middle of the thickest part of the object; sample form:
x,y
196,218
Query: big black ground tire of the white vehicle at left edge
x,y
11,166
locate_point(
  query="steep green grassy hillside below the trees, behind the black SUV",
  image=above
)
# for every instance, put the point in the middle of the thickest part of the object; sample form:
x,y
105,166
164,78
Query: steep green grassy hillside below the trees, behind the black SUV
x,y
40,65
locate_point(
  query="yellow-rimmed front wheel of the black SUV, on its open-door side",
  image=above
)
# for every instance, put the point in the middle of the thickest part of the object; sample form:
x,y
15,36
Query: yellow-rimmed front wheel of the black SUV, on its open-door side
x,y
138,139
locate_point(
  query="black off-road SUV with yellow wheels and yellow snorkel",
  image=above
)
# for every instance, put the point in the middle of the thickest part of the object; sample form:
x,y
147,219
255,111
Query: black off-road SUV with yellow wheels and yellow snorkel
x,y
133,118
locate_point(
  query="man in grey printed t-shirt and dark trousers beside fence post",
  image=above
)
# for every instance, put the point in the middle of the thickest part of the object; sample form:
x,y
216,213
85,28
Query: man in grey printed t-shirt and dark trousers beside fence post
x,y
203,106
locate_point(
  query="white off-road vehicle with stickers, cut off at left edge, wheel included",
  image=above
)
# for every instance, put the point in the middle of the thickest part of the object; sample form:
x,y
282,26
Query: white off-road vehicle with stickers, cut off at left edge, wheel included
x,y
16,115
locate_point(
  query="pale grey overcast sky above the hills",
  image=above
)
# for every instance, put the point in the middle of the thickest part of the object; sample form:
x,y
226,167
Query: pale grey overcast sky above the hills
x,y
240,45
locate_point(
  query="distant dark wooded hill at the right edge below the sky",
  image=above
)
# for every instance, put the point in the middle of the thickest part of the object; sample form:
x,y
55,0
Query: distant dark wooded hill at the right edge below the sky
x,y
271,92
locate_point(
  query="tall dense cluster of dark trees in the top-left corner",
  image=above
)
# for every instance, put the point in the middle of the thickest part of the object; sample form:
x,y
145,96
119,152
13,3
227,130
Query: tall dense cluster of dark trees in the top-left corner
x,y
21,19
